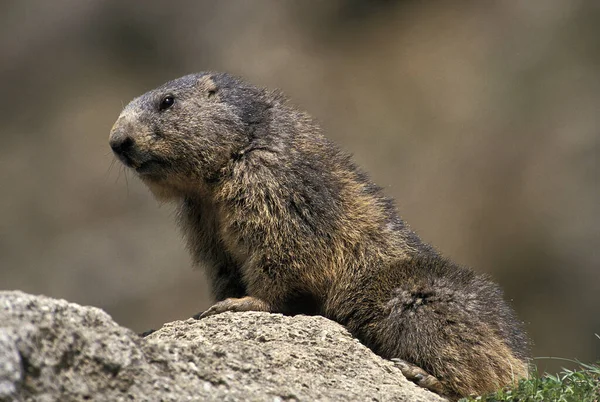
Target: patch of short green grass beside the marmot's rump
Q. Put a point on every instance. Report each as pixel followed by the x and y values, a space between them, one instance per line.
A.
pixel 579 385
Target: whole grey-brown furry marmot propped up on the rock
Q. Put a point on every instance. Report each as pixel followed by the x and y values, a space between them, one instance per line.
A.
pixel 284 221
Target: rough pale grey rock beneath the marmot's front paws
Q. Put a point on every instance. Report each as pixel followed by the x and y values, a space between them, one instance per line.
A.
pixel 54 350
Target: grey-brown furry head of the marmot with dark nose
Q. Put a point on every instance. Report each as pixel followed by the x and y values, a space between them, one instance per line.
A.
pixel 181 135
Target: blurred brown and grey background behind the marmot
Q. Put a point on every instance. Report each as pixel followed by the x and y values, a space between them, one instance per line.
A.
pixel 481 119
